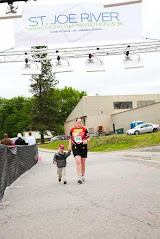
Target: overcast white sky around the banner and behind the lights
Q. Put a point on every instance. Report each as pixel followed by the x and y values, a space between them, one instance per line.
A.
pixel 114 81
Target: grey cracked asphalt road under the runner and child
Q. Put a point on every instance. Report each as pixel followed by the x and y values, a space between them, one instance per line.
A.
pixel 119 200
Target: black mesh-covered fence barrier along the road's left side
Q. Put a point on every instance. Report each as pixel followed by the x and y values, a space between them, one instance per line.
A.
pixel 14 161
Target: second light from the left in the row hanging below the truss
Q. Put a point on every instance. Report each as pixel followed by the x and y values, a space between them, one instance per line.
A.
pixel 61 65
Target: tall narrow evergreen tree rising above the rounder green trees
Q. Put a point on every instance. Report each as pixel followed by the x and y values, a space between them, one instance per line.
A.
pixel 44 111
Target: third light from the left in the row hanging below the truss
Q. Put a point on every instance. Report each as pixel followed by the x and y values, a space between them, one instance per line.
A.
pixel 94 64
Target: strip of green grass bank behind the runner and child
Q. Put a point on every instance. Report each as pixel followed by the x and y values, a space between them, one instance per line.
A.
pixel 113 142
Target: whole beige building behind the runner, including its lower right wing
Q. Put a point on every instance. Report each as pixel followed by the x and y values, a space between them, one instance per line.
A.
pixel 100 113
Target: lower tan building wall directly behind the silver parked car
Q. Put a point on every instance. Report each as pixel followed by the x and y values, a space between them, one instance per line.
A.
pixel 146 114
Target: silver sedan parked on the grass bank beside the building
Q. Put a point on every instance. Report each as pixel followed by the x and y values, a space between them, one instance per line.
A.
pixel 144 128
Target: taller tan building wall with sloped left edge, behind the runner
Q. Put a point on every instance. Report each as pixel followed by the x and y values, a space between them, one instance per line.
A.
pixel 97 110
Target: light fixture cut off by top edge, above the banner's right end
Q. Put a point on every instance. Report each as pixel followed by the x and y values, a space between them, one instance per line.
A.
pixel 115 3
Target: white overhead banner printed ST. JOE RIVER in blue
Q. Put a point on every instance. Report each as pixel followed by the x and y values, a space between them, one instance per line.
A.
pixel 77 24
